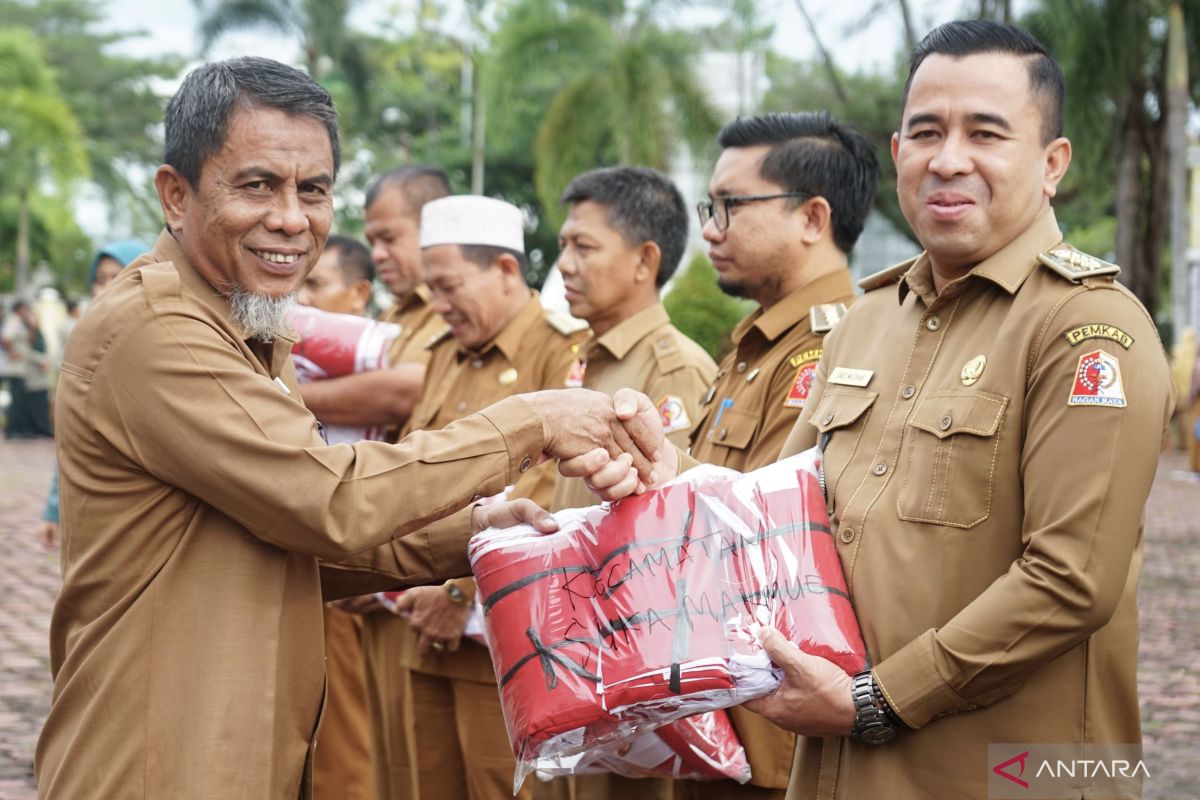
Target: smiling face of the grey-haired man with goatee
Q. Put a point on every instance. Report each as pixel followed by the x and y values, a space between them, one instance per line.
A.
pixel 262 210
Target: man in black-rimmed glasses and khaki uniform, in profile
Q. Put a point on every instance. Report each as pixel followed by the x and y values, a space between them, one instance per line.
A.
pixel 789 197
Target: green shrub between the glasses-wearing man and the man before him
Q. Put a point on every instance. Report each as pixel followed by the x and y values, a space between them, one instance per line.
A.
pixel 700 309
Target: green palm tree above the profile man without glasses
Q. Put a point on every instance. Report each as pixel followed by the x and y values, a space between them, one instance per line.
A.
pixel 619 88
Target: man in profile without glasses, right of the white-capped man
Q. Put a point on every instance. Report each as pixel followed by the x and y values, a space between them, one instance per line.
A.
pixel 622 242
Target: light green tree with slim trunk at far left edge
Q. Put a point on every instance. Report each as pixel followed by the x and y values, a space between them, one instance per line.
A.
pixel 40 137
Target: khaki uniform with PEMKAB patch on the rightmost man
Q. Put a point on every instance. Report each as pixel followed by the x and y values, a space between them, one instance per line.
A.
pixel 988 455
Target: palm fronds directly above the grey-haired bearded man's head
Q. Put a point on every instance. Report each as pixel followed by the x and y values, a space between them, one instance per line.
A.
pixel 329 47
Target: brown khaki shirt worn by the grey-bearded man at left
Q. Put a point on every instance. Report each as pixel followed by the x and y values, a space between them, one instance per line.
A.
pixel 197 498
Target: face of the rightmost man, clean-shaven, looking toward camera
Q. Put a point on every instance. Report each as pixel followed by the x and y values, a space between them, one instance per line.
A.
pixel 973 169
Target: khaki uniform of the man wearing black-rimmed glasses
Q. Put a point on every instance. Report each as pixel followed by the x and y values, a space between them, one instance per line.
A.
pixel 760 392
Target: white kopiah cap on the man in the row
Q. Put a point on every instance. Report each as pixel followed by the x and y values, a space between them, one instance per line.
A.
pixel 472 220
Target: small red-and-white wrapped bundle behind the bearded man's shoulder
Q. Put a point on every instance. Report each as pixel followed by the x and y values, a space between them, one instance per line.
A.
pixel 332 346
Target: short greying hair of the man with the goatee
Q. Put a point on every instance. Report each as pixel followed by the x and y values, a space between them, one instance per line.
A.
pixel 197 122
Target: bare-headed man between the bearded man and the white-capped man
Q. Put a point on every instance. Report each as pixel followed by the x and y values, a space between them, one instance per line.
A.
pixel 386 398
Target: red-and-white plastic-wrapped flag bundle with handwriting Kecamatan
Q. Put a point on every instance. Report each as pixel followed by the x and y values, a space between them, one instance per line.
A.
pixel 639 615
